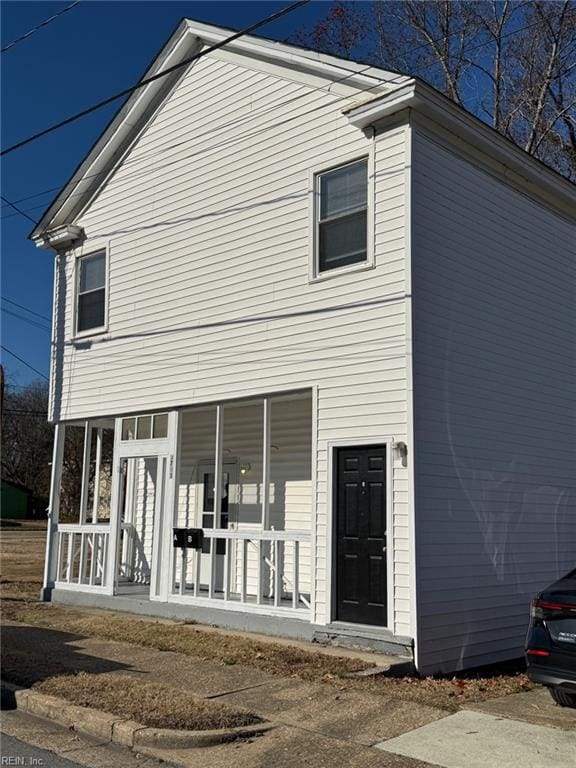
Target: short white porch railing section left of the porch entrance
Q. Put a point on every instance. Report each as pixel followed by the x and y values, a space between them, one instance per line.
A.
pixel 83 552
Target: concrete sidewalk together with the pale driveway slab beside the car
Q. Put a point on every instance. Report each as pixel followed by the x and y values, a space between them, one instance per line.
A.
pixel 324 724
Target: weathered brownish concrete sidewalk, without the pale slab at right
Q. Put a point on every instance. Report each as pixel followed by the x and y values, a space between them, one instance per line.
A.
pixel 317 724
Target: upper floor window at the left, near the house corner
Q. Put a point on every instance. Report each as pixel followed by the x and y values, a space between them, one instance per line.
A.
pixel 91 302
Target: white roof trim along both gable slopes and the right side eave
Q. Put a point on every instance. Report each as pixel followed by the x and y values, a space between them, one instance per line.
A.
pixel 398 91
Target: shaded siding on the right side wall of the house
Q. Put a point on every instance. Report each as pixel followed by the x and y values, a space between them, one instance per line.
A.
pixel 494 380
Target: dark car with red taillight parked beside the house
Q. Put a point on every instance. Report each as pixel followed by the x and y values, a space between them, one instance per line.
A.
pixel 551 640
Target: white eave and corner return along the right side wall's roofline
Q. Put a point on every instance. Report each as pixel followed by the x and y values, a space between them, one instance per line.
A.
pixel 462 125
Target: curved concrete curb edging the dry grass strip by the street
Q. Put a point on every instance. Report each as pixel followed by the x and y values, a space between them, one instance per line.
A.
pixel 126 733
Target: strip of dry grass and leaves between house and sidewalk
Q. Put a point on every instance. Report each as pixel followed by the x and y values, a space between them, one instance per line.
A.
pixel 282 660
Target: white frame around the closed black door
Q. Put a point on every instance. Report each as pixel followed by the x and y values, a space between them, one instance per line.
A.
pixel 331 544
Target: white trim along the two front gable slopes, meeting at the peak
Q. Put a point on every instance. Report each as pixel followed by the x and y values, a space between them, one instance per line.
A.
pixel 188 38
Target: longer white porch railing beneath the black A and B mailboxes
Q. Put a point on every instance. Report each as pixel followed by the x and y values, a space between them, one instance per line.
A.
pixel 256 570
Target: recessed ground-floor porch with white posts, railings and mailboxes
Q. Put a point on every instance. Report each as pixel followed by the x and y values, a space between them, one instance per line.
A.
pixel 239 473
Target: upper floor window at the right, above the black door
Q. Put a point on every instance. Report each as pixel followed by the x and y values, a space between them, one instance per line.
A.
pixel 342 216
